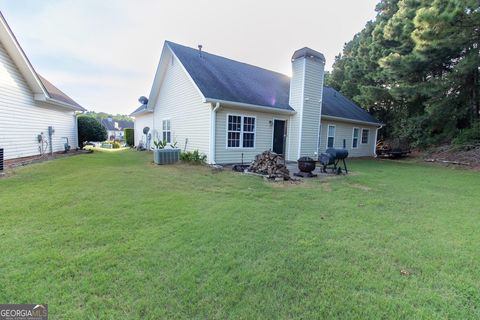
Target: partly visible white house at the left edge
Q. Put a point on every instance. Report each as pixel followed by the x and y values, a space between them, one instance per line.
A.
pixel 29 105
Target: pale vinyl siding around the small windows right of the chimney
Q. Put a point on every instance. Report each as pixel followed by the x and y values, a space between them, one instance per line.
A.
pixel 343 131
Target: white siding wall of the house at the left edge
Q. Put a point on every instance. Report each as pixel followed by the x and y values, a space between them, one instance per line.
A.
pixel 22 118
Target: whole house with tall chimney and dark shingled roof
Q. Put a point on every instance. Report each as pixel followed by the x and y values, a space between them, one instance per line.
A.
pixel 229 110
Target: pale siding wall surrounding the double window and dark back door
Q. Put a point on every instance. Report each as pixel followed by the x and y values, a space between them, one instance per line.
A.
pixel 263 135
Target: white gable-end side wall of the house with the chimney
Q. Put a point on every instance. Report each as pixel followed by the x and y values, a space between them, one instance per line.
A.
pixel 181 107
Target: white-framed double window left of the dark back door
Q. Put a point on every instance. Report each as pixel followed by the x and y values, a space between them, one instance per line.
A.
pixel 240 132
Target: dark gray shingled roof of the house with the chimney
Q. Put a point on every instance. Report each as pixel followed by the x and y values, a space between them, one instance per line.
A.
pixel 220 78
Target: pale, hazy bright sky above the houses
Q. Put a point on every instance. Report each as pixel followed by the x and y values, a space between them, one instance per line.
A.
pixel 104 54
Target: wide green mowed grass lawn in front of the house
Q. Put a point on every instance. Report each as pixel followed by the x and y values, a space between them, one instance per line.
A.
pixel 111 236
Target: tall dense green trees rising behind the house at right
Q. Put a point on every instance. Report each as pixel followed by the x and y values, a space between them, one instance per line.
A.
pixel 416 67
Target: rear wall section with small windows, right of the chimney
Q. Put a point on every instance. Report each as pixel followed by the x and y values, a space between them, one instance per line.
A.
pixel 341 131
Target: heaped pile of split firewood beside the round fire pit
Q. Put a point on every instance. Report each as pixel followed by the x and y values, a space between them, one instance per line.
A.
pixel 271 165
